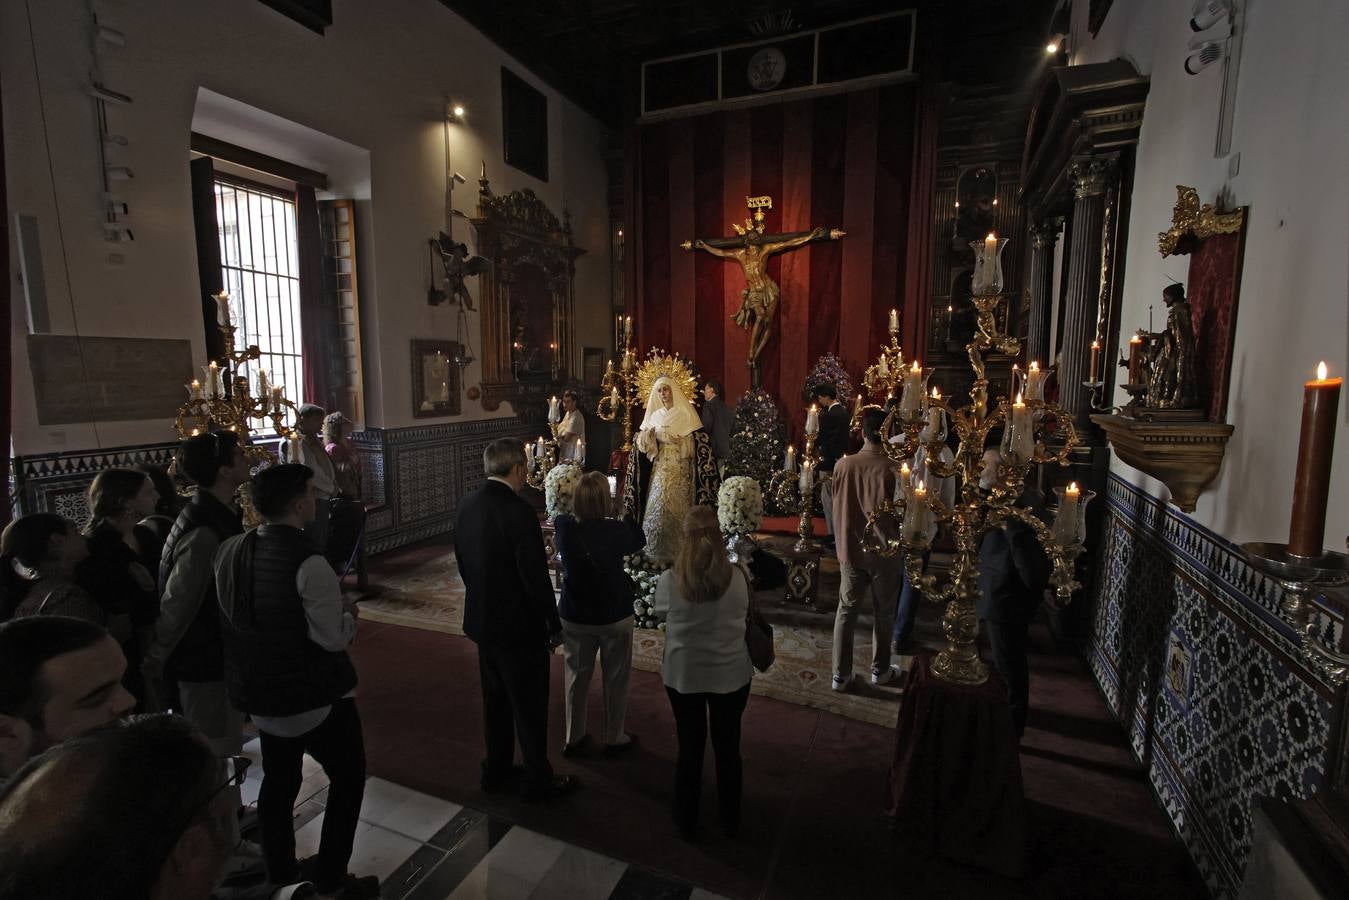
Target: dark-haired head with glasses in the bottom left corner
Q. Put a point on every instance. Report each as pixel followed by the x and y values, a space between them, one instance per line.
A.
pixel 134 812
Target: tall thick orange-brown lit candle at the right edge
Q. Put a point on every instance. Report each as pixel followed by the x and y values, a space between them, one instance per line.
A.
pixel 1312 484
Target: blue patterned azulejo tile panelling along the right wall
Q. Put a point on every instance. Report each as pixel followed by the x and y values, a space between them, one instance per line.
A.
pixel 1195 660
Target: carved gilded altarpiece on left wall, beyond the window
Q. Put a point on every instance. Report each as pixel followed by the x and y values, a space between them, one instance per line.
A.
pixel 528 299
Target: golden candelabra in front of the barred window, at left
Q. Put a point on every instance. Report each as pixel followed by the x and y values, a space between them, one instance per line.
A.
pixel 211 407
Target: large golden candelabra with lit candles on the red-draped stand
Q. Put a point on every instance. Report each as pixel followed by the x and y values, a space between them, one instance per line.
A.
pixel 976 511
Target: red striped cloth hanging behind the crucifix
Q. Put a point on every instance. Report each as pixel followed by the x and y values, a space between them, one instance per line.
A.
pixel 844 161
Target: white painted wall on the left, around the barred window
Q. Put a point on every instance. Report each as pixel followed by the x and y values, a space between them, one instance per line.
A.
pixel 376 80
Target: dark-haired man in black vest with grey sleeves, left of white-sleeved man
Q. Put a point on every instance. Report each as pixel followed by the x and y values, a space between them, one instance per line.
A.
pixel 188 648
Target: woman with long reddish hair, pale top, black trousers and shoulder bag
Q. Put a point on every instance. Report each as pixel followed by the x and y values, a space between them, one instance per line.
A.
pixel 705 602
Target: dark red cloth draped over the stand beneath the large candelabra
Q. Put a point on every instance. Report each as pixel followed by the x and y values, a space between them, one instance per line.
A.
pixel 956 786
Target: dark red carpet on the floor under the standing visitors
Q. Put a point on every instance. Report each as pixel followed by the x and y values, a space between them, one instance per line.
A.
pixel 814 789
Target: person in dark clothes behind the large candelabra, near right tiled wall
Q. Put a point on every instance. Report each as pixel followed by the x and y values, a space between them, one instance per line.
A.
pixel 1014 573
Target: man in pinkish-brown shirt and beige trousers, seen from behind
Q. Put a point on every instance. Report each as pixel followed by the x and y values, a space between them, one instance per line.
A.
pixel 861 484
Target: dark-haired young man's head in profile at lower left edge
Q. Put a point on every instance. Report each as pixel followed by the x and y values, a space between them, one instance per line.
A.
pixel 59 678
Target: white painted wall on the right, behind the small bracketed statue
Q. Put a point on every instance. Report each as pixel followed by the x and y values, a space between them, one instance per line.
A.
pixel 1293 134
